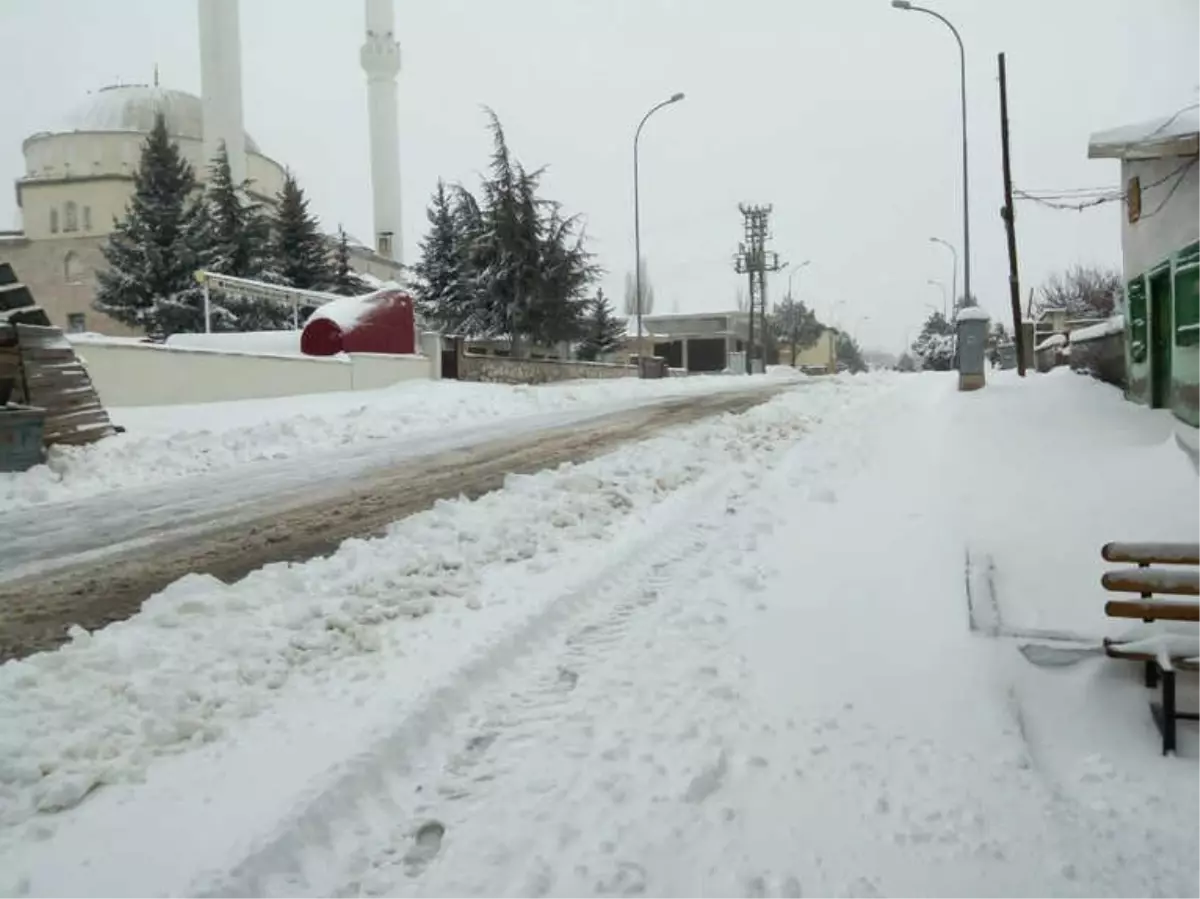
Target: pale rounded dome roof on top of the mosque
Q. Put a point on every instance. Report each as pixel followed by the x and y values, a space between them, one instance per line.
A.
pixel 134 107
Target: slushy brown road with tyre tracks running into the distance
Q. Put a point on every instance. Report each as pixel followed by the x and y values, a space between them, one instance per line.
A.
pixel 95 562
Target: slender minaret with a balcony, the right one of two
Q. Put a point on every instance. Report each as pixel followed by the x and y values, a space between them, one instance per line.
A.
pixel 381 61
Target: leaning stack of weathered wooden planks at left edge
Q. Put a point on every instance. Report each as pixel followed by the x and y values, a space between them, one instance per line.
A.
pixel 53 379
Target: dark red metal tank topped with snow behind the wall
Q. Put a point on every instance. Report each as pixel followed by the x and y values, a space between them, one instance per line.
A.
pixel 381 322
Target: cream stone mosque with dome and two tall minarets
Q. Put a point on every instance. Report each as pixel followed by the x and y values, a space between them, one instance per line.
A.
pixel 80 176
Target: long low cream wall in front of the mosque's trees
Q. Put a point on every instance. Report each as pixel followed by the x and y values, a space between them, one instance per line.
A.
pixel 151 375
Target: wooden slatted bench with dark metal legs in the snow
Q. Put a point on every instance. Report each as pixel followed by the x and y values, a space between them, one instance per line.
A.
pixel 1149 582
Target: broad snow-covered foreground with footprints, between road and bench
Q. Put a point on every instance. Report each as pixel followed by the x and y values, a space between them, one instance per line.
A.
pixel 735 661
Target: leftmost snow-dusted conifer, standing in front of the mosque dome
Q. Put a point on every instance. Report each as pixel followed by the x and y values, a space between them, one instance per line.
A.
pixel 155 250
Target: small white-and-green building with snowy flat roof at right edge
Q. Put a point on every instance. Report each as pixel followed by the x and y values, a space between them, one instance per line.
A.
pixel 1161 253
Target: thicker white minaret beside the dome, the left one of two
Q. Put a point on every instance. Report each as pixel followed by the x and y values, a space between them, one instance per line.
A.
pixel 221 85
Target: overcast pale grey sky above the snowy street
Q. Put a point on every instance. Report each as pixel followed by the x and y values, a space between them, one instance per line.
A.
pixel 843 115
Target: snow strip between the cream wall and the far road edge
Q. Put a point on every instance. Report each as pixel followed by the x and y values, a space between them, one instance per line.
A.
pixel 175 442
